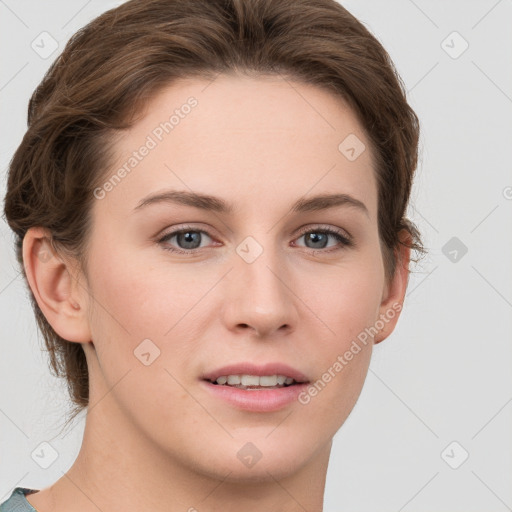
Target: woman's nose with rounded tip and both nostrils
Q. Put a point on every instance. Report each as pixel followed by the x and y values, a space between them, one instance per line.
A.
pixel 259 297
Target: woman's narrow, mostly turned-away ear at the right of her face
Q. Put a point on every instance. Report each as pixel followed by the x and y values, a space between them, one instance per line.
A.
pixel 394 290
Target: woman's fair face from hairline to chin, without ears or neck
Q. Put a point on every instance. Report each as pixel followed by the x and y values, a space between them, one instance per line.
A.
pixel 257 276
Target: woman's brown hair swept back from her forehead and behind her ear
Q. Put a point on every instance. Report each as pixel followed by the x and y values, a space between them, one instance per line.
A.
pixel 111 67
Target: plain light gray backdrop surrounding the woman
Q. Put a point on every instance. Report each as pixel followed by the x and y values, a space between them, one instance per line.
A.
pixel 445 373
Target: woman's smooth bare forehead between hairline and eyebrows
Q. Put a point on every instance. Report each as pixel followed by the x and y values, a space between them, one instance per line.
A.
pixel 253 140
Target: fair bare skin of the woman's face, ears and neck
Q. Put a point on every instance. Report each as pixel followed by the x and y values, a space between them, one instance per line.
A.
pixel 154 439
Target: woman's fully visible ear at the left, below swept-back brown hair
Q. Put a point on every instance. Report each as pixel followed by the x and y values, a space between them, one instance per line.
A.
pixel 51 278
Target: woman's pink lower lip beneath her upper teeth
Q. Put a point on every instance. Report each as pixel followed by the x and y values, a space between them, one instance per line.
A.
pixel 256 400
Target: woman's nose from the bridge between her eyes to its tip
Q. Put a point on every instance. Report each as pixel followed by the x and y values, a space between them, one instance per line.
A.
pixel 259 294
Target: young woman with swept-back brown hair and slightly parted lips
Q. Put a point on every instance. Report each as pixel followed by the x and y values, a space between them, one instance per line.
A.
pixel 210 205
